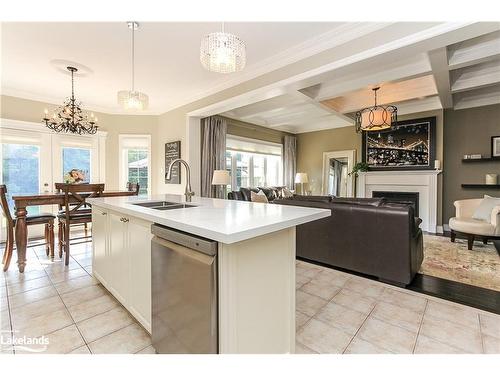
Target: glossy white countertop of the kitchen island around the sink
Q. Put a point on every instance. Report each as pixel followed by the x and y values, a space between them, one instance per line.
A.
pixel 225 221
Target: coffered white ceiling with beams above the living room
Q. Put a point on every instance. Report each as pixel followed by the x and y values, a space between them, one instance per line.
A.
pixel 459 75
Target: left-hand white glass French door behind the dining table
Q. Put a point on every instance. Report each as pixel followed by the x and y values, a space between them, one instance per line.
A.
pixel 26 168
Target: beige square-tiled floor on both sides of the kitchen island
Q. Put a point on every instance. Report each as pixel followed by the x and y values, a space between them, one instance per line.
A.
pixel 336 313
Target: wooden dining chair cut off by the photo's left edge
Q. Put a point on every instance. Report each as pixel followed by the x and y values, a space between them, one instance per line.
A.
pixel 43 218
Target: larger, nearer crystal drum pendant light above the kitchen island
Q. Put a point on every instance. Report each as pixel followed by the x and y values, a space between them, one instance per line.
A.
pixel 223 52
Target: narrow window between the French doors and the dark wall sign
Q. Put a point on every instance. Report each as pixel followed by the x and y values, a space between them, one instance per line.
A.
pixel 135 161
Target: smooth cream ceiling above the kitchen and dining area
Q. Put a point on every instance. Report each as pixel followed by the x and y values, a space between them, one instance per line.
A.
pixel 167 58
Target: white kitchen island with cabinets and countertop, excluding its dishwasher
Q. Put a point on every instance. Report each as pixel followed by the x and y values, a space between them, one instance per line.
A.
pixel 255 263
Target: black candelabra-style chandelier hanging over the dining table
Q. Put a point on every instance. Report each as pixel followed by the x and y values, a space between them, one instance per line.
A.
pixel 70 118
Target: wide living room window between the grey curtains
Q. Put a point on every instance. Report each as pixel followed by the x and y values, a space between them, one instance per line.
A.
pixel 253 163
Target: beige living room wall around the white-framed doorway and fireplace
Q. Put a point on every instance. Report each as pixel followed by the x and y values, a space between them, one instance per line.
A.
pixel 310 148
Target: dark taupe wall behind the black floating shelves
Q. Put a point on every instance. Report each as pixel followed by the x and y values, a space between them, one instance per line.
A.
pixel 468 131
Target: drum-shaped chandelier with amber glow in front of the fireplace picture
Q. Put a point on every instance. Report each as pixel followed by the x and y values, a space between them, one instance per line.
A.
pixel 378 117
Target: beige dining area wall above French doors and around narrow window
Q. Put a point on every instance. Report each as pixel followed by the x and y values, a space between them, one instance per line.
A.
pixel 31 111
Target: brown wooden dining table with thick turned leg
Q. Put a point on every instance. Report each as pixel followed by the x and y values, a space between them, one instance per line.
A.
pixel 21 202
